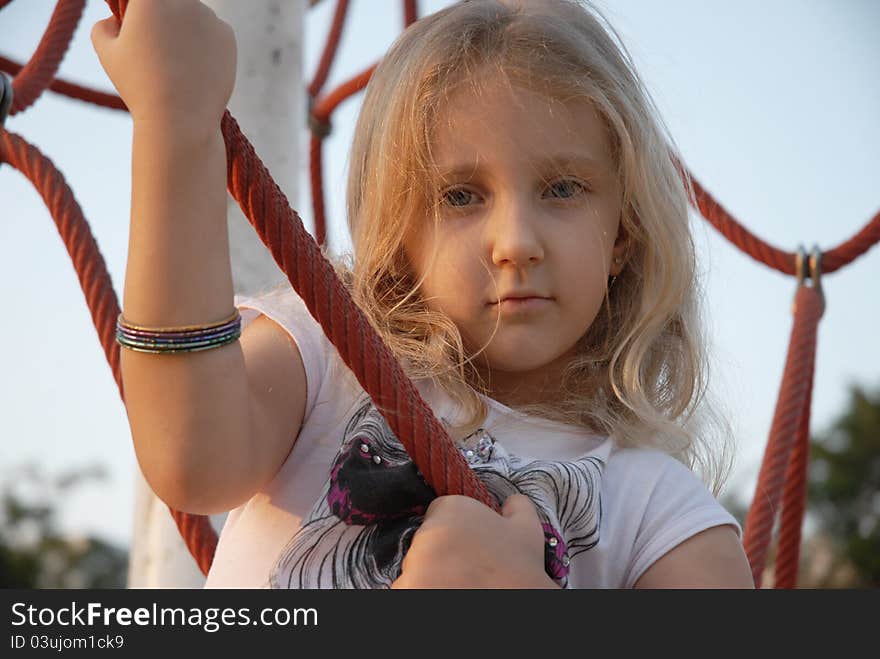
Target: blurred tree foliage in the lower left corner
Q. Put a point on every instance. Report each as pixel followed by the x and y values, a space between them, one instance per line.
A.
pixel 34 553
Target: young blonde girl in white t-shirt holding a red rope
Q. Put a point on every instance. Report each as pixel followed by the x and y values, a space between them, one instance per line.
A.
pixel 521 243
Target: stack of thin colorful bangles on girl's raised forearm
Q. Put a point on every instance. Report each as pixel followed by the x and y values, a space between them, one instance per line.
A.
pixel 191 338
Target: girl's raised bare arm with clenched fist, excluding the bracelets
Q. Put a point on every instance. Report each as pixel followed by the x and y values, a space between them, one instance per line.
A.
pixel 206 432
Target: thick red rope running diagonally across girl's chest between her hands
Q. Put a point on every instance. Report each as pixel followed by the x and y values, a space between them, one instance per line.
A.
pixel 346 326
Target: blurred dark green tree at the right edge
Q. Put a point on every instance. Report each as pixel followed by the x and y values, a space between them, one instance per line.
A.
pixel 844 487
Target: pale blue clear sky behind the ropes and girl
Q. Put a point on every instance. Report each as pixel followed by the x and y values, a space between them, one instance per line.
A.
pixel 775 107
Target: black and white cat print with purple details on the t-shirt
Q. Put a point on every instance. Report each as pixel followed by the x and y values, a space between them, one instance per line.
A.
pixel 359 530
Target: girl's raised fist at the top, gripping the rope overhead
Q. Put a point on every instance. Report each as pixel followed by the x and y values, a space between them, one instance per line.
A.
pixel 172 61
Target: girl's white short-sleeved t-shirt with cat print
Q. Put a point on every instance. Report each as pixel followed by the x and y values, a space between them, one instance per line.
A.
pixel 343 508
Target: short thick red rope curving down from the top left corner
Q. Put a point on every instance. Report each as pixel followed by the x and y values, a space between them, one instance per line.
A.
pixel 40 70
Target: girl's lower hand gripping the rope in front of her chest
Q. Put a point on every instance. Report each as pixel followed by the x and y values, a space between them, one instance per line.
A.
pixel 464 544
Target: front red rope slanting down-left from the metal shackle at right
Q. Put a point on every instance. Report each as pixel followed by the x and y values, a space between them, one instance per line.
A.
pixel 789 418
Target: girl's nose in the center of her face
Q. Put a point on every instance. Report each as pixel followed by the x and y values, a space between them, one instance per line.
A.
pixel 514 236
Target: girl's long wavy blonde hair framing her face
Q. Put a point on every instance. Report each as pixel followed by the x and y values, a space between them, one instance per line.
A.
pixel 640 371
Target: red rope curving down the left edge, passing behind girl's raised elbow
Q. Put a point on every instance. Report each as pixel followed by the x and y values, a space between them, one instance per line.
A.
pixel 97 287
